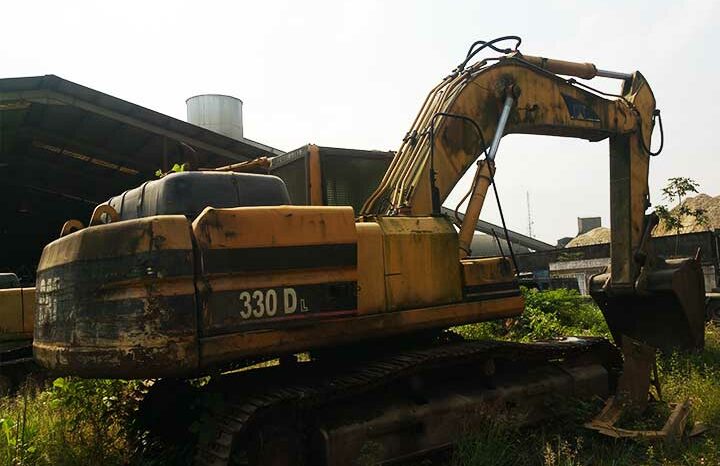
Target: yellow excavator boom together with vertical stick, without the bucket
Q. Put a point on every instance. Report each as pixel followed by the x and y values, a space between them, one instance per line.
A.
pixel 540 103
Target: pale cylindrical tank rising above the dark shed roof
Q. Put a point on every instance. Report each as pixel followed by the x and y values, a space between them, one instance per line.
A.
pixel 219 113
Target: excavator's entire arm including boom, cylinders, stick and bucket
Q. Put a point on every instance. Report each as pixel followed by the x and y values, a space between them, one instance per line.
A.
pixel 467 114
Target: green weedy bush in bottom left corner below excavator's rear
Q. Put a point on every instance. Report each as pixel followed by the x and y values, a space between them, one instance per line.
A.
pixel 73 422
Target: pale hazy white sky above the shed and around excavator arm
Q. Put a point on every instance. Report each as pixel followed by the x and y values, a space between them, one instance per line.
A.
pixel 354 74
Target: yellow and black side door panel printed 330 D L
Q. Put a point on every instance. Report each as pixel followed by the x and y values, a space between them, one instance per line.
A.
pixel 264 268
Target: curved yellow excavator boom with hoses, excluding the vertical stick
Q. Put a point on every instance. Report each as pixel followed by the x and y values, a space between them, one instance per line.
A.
pixel 543 103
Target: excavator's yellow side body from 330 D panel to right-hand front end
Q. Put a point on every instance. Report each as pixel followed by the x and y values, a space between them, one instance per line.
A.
pixel 252 257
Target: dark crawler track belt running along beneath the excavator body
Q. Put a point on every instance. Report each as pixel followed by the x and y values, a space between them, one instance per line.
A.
pixel 277 395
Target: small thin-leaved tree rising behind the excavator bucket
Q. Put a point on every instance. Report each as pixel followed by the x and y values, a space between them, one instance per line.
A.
pixel 672 218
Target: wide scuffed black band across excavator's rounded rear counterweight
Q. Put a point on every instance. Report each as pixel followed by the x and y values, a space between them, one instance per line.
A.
pixel 72 305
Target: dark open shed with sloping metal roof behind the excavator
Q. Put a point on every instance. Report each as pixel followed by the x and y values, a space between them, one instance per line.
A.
pixel 65 148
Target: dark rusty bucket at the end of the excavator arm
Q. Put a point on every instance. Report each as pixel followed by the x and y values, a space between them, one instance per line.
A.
pixel 666 309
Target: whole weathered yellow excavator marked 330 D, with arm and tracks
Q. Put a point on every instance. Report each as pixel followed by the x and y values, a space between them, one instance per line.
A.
pixel 216 273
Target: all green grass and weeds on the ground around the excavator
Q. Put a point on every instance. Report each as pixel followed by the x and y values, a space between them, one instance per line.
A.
pixel 81 422
